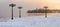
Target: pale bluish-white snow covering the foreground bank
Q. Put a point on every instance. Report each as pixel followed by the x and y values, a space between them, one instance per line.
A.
pixel 34 21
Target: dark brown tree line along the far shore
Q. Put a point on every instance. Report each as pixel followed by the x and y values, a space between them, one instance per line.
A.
pixel 43 11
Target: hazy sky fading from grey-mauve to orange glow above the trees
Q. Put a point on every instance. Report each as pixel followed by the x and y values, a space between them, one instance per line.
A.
pixel 5 10
